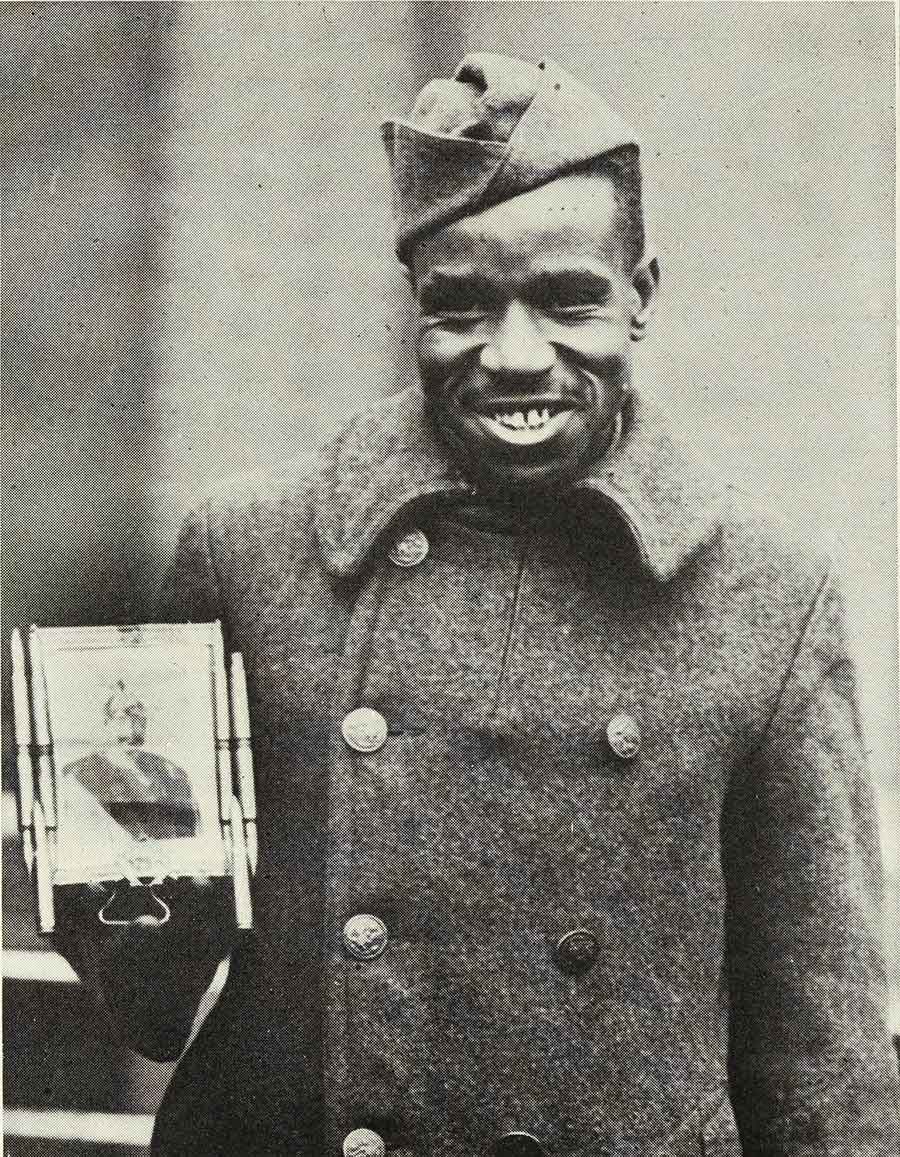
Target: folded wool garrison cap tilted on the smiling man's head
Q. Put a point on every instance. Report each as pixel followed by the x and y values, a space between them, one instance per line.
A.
pixel 500 128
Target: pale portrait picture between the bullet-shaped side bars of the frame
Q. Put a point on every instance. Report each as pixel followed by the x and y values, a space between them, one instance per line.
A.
pixel 134 736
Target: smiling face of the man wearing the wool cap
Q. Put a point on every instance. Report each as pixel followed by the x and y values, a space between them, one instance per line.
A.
pixel 525 340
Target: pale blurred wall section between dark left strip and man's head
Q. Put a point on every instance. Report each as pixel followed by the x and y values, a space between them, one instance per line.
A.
pixel 284 292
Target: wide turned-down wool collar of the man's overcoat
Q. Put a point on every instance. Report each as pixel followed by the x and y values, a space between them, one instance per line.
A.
pixel 389 460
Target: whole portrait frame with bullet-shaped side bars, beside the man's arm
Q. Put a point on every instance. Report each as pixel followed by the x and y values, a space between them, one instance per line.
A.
pixel 135 760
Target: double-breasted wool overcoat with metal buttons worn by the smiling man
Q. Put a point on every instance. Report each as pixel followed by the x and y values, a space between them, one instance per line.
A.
pixel 726 985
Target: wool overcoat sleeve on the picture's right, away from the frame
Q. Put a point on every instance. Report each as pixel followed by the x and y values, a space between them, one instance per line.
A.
pixel 814 1073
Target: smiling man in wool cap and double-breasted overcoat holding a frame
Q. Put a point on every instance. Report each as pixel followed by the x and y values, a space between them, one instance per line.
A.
pixel 567 844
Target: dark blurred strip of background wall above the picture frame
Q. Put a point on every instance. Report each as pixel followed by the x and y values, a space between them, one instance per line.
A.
pixel 84 226
